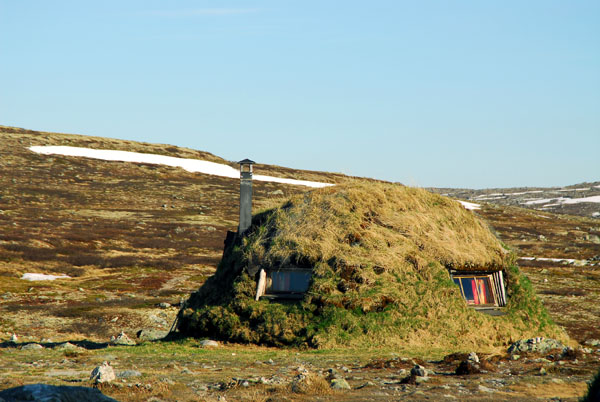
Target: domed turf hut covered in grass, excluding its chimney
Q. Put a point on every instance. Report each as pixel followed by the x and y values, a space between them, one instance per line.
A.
pixel 364 264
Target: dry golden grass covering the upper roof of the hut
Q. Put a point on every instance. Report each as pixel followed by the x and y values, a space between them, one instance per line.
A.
pixel 375 223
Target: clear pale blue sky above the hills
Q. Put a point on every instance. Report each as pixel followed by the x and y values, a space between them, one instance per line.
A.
pixel 473 94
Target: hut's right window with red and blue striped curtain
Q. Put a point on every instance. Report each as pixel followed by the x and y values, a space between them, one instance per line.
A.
pixel 481 289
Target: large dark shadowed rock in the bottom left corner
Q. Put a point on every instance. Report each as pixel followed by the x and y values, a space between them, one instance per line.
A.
pixel 44 392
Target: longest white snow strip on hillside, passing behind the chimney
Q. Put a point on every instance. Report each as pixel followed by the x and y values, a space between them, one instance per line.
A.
pixel 191 165
